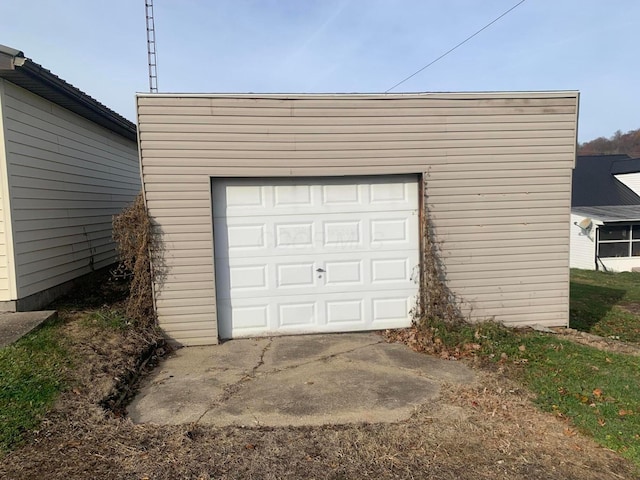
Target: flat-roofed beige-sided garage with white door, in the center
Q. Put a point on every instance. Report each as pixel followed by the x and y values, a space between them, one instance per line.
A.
pixel 282 214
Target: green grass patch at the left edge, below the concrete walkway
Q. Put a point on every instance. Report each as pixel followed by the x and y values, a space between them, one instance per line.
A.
pixel 32 374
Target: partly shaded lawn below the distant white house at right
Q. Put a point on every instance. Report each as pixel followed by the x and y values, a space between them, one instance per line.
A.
pixel 606 304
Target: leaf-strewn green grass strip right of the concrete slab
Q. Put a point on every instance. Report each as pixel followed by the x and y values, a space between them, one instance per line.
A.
pixel 598 392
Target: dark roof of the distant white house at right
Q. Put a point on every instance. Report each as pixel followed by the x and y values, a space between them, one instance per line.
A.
pixel 594 183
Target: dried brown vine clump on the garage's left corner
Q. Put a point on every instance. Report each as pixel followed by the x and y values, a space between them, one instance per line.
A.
pixel 135 240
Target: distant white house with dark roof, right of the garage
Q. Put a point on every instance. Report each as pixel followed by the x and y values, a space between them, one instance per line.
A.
pixel 605 213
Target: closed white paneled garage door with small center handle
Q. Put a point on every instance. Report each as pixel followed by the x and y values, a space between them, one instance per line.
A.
pixel 315 255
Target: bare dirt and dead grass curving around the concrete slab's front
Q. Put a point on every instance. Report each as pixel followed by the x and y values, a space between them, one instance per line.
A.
pixel 490 431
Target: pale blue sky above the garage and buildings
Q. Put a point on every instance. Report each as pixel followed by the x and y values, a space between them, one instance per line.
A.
pixel 341 46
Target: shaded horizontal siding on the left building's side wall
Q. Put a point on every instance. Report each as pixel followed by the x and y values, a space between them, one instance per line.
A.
pixel 67 178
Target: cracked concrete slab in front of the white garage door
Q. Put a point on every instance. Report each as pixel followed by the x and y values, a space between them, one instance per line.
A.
pixel 299 380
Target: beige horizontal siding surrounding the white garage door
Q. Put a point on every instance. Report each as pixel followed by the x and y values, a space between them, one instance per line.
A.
pixel 497 168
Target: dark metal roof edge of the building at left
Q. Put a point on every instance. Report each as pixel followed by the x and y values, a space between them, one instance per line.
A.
pixel 18 69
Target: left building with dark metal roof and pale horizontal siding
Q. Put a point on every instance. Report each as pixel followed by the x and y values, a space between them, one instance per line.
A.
pixel 67 165
